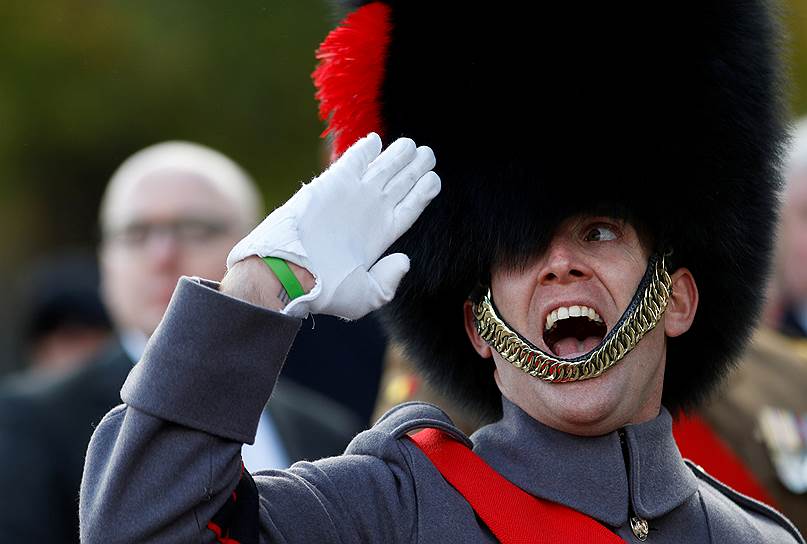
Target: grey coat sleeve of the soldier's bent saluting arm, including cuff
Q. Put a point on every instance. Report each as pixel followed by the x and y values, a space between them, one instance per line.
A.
pixel 162 466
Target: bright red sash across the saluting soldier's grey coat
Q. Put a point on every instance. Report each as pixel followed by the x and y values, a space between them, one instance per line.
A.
pixel 513 515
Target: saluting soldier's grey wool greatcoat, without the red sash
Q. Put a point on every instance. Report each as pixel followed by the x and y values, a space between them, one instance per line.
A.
pixel 161 466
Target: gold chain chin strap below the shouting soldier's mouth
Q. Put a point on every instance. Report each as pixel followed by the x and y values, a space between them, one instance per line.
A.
pixel 539 364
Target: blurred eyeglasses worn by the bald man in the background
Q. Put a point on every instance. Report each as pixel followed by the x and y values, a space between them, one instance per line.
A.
pixel 187 231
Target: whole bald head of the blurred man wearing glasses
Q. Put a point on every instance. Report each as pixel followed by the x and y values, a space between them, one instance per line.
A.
pixel 172 209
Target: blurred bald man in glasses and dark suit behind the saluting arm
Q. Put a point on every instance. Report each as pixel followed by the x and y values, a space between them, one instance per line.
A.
pixel 172 209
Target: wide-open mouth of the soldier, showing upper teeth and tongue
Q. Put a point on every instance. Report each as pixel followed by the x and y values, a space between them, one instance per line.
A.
pixel 571 331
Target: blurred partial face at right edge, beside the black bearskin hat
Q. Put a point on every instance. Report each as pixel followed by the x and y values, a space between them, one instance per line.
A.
pixel 793 249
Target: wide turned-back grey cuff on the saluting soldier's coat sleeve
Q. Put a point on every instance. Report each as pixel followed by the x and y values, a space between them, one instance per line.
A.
pixel 212 363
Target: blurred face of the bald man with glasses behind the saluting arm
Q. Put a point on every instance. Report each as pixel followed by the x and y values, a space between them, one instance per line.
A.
pixel 164 225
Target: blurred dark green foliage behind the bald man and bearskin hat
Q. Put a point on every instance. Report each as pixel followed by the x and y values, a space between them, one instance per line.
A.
pixel 85 84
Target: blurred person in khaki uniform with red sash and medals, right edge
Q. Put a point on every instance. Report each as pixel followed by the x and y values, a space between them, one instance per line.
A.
pixel 760 414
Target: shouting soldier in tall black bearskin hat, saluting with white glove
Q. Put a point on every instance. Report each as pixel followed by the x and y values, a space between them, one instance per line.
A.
pixel 571 302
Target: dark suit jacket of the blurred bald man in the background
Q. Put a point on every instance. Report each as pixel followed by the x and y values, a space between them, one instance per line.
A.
pixel 45 429
